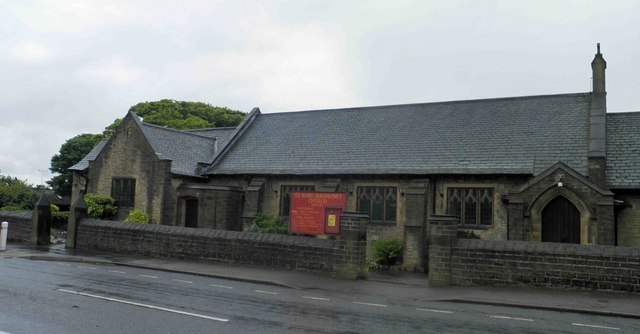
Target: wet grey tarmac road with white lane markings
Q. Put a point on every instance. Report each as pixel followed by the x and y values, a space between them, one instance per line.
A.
pixel 72 297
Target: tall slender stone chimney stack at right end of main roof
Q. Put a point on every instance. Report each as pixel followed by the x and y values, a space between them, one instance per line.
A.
pixel 597 122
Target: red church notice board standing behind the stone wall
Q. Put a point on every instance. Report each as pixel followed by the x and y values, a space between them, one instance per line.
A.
pixel 308 210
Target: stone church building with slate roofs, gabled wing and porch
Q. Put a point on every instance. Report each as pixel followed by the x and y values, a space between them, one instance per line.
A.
pixel 552 168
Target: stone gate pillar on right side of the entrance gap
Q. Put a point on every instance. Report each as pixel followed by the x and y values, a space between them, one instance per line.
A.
pixel 442 238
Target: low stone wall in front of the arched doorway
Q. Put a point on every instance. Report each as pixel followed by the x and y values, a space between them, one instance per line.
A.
pixel 483 262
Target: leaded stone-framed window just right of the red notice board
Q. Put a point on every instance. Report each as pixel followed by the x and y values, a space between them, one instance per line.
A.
pixel 380 203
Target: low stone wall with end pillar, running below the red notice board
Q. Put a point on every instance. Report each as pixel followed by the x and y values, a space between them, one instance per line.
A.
pixel 343 258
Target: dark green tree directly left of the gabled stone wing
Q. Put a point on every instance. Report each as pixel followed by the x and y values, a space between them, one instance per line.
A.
pixel 71 152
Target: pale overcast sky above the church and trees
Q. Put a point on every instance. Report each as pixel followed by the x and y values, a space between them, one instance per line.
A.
pixel 71 67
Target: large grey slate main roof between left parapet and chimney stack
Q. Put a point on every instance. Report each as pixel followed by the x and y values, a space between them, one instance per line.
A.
pixel 521 135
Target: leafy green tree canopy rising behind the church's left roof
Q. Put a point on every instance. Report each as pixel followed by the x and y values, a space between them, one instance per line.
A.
pixel 187 115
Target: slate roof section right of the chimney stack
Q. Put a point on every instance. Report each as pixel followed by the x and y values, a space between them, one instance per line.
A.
pixel 623 150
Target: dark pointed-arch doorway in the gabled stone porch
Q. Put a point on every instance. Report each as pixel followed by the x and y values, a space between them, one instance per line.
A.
pixel 560 222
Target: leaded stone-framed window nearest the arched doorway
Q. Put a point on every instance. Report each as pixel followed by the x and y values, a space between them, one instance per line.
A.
pixel 474 206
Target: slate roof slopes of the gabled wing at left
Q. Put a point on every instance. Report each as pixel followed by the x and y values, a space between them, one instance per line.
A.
pixel 185 148
